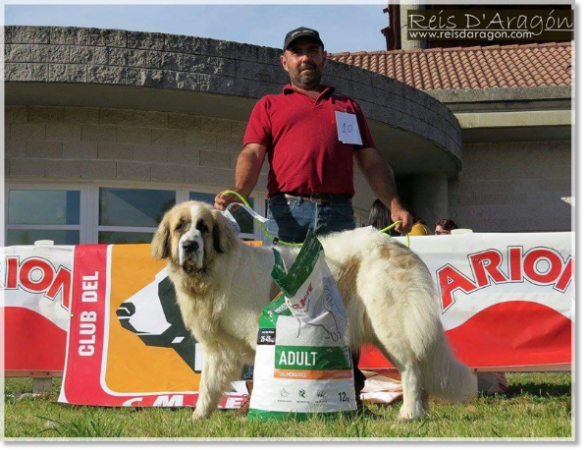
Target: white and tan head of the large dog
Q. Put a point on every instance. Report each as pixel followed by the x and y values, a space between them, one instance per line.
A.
pixel 191 235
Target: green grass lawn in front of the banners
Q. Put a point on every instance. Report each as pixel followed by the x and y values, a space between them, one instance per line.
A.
pixel 538 405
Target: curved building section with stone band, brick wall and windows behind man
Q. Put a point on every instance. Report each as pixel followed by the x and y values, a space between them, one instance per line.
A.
pixel 105 129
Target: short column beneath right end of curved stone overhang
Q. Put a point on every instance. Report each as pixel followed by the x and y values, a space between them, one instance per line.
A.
pixel 430 197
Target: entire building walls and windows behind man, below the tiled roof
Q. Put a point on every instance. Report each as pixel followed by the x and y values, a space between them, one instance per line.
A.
pixel 106 129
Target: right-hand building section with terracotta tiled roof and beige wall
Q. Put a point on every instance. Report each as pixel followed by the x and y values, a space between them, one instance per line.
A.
pixel 514 106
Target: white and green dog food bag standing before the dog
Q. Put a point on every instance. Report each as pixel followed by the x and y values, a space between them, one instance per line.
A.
pixel 303 363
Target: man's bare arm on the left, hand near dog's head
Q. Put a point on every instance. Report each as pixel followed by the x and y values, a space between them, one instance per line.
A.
pixel 248 167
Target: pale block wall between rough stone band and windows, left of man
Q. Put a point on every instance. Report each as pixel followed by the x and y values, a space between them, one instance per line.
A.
pixel 70 143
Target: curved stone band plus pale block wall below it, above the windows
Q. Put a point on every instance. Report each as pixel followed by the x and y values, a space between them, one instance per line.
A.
pixel 172 109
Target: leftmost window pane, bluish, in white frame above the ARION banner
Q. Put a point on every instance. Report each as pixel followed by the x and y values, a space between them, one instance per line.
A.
pixel 37 214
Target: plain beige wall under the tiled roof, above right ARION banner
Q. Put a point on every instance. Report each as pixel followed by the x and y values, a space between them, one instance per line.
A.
pixel 513 187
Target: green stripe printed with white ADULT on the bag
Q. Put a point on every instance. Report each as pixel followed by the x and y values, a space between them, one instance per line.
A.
pixel 312 358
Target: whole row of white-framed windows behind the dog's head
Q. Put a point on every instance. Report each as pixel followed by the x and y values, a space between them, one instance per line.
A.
pixel 72 214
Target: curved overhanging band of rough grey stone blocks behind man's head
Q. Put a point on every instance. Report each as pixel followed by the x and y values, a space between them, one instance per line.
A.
pixel 68 66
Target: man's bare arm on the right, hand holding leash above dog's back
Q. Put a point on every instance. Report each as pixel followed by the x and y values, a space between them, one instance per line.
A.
pixel 381 179
